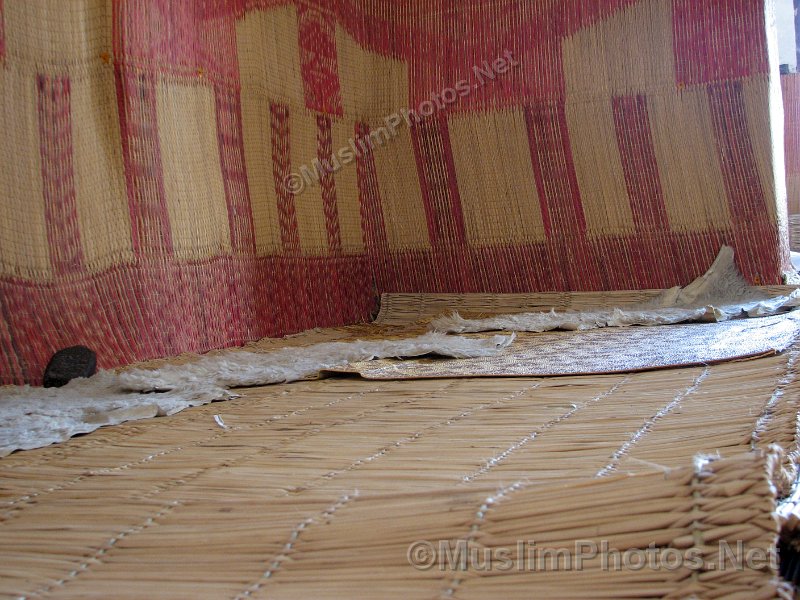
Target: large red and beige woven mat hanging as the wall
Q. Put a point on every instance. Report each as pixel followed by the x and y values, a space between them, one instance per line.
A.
pixel 142 205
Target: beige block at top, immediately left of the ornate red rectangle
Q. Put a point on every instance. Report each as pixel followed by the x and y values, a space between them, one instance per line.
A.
pixel 269 53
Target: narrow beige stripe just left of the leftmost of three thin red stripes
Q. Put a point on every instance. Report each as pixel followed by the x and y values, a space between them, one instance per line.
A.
pixel 257 135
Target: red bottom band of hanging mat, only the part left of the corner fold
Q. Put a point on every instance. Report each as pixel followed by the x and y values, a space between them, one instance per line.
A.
pixel 114 317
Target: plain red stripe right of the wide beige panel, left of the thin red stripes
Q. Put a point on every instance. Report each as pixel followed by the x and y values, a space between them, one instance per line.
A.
pixel 234 175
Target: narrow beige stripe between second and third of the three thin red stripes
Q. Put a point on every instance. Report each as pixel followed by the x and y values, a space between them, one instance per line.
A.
pixel 347 195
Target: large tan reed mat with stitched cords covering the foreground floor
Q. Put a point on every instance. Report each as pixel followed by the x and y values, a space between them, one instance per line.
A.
pixel 316 489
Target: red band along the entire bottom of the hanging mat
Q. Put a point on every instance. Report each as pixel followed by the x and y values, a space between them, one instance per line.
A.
pixel 34 308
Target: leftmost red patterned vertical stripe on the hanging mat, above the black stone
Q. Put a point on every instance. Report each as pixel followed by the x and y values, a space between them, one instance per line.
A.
pixel 55 143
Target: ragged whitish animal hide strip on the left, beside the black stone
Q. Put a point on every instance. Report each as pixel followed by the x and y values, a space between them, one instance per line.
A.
pixel 35 417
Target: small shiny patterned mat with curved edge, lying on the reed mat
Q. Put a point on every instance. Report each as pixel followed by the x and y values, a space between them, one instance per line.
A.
pixel 601 351
